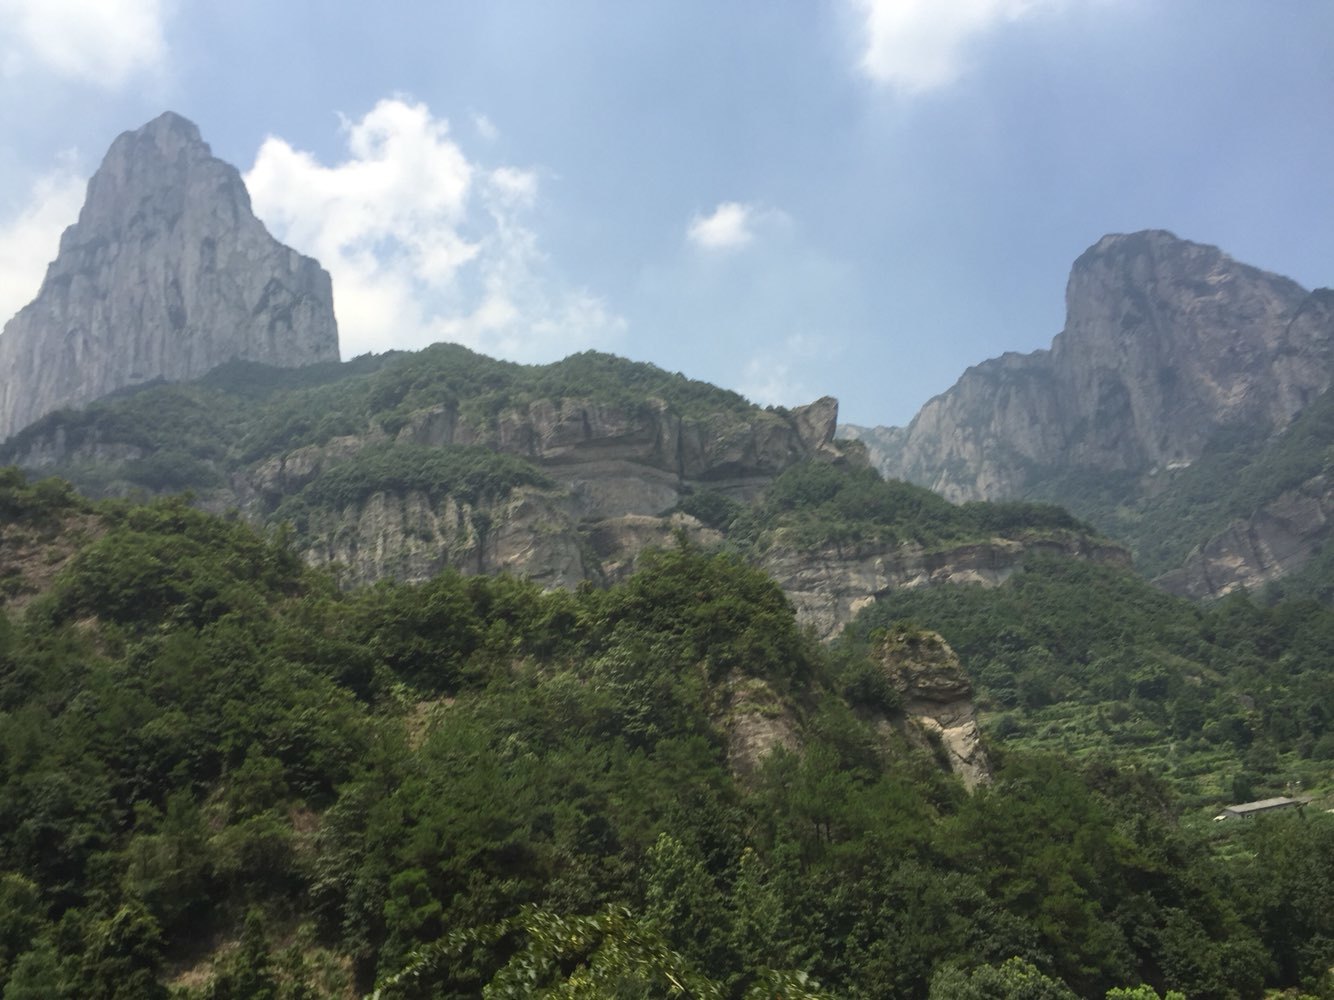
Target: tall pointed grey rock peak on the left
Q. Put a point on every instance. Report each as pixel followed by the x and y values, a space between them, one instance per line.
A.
pixel 166 275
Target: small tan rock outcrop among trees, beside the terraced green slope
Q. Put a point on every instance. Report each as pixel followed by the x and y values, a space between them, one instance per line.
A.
pixel 937 702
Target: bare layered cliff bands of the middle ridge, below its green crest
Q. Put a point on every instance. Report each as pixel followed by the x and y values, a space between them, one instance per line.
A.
pixel 616 470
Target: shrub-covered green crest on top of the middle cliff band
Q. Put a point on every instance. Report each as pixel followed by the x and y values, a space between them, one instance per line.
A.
pixel 195 435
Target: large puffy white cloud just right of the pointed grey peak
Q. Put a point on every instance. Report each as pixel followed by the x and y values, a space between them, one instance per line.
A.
pixel 424 243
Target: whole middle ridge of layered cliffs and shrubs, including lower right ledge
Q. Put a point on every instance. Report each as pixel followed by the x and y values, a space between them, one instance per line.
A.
pixel 402 466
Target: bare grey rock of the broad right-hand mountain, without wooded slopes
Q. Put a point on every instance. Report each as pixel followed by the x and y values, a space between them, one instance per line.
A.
pixel 1165 343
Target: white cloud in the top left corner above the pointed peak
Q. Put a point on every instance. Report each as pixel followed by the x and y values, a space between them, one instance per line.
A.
pixel 99 42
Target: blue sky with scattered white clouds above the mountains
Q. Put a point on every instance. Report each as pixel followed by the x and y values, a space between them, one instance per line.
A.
pixel 790 199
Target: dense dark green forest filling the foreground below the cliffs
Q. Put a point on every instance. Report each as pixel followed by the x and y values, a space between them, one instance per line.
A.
pixel 223 777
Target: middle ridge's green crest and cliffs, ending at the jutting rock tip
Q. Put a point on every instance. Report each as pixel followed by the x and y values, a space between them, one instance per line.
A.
pixel 405 465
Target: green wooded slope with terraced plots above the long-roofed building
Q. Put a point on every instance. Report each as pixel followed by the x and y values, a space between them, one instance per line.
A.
pixel 1225 702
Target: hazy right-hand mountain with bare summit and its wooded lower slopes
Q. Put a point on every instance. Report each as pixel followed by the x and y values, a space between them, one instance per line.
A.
pixel 1179 367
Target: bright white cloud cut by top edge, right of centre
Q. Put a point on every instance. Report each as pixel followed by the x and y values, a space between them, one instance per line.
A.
pixel 916 46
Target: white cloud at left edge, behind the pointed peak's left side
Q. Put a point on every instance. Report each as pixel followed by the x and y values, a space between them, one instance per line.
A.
pixel 31 239
